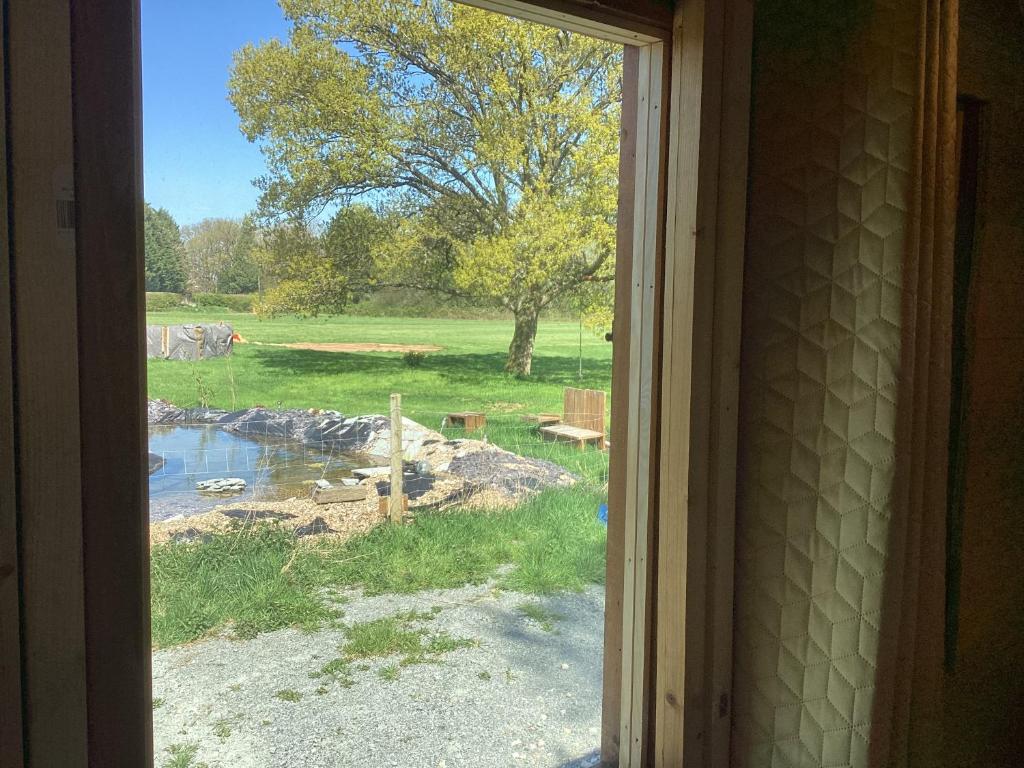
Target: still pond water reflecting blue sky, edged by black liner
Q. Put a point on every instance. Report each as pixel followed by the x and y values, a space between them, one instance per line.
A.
pixel 272 470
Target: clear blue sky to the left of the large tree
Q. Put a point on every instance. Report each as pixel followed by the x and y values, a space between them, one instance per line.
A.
pixel 197 162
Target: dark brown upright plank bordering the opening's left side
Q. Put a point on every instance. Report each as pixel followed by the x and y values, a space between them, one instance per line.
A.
pixel 112 365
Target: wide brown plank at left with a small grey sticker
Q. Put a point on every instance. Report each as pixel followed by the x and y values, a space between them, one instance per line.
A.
pixel 46 303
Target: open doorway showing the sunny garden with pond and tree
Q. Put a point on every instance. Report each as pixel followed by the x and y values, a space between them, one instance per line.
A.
pixel 325 592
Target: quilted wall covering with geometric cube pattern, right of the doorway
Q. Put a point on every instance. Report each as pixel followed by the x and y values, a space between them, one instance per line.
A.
pixel 831 159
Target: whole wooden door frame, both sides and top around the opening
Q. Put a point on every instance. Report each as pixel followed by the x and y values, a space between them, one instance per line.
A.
pixel 84 658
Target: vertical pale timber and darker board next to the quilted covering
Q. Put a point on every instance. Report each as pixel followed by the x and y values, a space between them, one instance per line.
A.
pixel 707 212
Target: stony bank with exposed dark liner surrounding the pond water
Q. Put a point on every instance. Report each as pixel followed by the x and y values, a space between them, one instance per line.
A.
pixel 440 474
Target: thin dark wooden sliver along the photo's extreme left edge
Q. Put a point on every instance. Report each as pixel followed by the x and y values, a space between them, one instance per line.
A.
pixel 11 646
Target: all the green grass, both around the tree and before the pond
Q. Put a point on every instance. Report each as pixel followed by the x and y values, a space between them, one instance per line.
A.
pixel 260 580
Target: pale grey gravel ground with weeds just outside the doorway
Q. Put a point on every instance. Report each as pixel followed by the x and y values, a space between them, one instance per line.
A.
pixel 527 694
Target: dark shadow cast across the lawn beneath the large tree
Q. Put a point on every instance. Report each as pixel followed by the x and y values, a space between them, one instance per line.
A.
pixel 558 370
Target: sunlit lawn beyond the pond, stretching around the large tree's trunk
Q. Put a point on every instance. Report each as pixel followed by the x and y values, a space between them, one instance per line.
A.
pixel 466 375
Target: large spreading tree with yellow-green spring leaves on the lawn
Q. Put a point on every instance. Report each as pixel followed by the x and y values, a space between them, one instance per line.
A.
pixel 495 138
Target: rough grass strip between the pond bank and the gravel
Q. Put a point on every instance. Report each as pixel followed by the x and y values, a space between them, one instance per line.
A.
pixel 260 580
